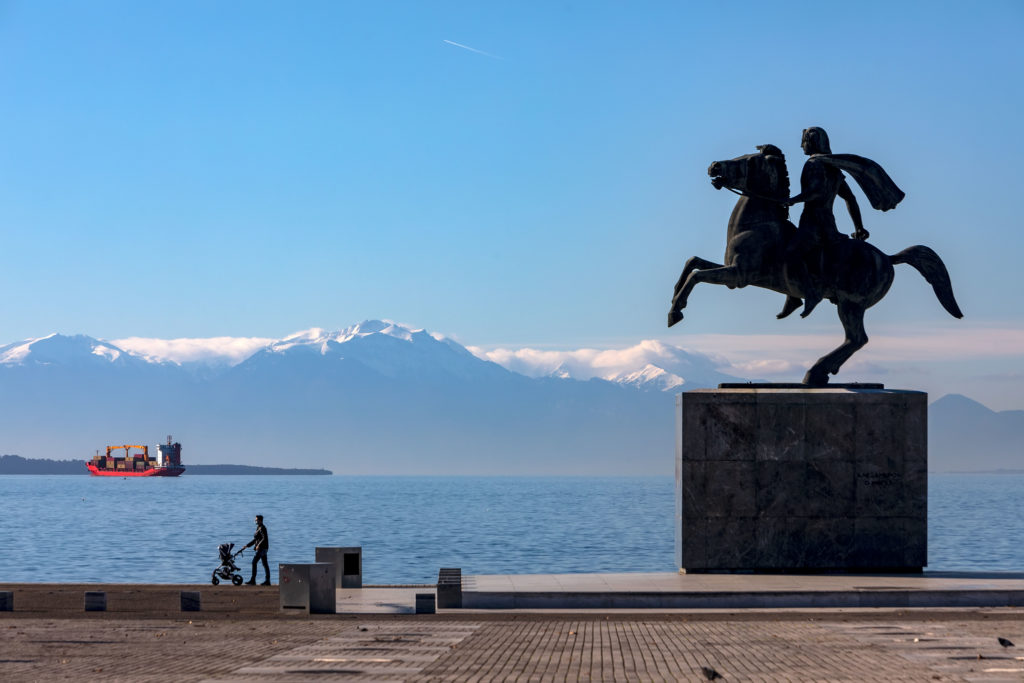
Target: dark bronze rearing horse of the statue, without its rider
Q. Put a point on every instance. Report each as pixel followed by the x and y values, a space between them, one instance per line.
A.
pixel 758 253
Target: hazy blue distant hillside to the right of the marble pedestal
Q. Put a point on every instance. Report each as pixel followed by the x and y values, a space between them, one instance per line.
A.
pixel 966 437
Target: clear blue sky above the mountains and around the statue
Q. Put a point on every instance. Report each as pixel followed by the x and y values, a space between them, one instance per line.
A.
pixel 511 175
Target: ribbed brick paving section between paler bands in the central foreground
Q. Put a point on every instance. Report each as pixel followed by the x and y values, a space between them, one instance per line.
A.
pixel 637 651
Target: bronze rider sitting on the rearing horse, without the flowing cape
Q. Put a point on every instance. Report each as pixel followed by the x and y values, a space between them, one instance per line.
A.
pixel 820 184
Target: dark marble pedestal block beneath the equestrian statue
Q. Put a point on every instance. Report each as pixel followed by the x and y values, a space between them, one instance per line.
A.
pixel 801 480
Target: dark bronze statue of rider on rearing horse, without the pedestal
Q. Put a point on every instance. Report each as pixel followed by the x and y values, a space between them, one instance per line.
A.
pixel 816 261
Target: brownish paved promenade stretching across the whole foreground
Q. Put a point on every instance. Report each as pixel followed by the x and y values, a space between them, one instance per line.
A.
pixel 240 636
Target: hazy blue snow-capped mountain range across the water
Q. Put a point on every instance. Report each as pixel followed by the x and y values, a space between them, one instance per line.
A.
pixel 383 399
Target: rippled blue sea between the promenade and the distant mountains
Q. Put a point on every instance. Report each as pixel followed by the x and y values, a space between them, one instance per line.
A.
pixel 164 531
